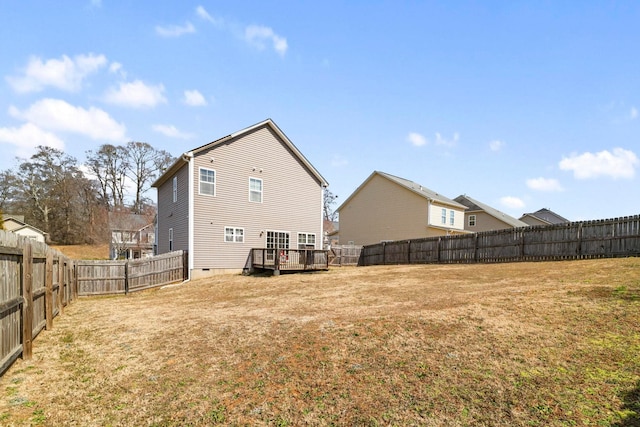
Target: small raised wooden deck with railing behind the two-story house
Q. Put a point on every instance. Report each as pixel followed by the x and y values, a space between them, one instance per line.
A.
pixel 289 259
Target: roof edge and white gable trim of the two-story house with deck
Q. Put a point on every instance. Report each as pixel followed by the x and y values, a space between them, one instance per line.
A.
pixel 183 159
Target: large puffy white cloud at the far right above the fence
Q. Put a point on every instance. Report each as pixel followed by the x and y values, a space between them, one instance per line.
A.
pixel 619 164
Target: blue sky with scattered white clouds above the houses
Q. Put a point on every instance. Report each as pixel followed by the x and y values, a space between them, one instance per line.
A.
pixel 521 105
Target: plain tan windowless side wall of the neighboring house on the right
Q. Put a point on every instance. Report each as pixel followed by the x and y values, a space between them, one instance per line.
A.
pixel 383 210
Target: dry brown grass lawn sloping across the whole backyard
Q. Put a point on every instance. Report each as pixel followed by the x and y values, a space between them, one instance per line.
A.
pixel 505 344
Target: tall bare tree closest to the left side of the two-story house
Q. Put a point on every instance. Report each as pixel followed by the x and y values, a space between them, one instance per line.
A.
pixel 144 164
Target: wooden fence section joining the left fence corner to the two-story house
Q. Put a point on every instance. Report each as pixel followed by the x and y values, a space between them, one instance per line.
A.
pixel 122 277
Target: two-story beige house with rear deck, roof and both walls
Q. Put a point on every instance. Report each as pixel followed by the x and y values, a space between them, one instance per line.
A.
pixel 250 189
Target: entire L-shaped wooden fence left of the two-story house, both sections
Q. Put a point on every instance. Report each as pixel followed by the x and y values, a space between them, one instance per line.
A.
pixel 37 282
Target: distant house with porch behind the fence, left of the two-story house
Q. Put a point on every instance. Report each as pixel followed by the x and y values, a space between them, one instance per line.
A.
pixel 132 236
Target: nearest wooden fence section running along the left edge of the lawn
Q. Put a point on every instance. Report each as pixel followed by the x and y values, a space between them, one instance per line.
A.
pixel 36 283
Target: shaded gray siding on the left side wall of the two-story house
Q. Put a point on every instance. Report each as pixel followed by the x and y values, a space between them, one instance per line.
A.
pixel 174 215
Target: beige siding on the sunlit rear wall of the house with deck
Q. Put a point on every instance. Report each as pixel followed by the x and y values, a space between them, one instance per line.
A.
pixel 291 198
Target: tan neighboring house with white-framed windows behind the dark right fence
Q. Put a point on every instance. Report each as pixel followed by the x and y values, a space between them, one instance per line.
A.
pixel 386 207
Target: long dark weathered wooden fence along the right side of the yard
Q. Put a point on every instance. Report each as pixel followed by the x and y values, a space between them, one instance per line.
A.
pixel 575 240
